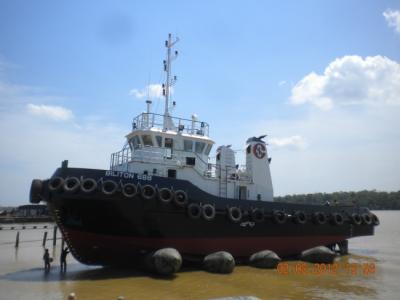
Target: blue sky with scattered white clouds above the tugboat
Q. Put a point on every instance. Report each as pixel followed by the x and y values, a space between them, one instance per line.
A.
pixel 320 78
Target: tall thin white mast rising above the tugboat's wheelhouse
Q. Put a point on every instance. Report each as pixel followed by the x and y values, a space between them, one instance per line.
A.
pixel 169 82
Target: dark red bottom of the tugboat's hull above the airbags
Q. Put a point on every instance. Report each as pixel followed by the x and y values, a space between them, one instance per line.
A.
pixel 104 249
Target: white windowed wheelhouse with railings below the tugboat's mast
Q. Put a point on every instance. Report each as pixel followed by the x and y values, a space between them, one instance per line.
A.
pixel 162 141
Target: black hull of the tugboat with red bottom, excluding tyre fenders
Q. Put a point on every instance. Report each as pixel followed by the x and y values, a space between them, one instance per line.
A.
pixel 111 229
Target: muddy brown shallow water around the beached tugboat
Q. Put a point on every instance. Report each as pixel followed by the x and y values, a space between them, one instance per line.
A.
pixel 372 271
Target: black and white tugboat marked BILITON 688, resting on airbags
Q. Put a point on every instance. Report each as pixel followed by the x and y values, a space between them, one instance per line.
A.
pixel 162 190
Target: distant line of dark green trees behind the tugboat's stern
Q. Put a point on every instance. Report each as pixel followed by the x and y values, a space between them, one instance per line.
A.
pixel 371 199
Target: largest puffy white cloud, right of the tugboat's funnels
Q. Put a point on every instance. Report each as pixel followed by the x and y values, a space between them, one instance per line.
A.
pixel 351 80
